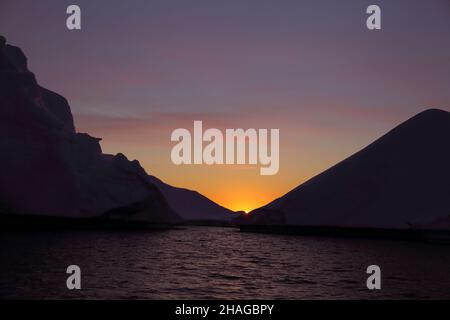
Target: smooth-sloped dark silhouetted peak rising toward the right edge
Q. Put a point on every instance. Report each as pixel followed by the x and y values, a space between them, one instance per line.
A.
pixel 401 180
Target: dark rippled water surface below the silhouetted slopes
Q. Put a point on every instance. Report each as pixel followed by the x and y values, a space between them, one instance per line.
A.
pixel 217 263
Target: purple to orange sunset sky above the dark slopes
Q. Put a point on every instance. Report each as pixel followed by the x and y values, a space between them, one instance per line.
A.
pixel 140 69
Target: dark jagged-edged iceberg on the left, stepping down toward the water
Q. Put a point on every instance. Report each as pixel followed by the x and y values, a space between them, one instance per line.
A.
pixel 49 169
